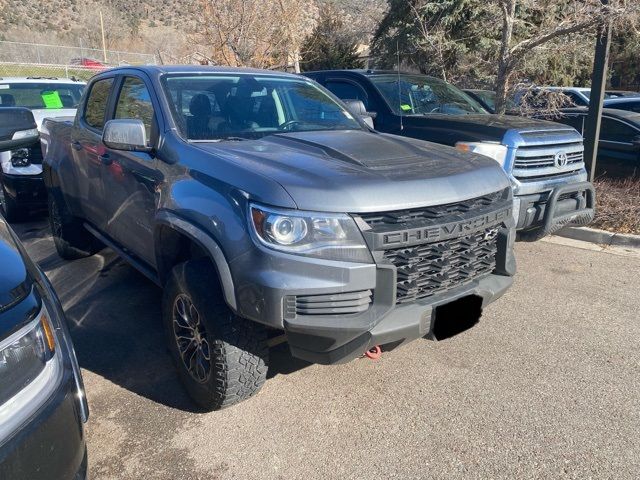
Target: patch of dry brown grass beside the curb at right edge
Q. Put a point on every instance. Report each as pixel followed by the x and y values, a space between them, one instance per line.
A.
pixel 618 205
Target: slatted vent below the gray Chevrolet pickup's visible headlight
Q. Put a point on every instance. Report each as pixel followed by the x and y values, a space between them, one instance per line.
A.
pixel 330 304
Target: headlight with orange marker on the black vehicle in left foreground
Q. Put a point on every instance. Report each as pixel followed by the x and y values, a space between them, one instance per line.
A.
pixel 30 368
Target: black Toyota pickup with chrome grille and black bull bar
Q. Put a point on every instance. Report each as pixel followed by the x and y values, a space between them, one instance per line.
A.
pixel 543 159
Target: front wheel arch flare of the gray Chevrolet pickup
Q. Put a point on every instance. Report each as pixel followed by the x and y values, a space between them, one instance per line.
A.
pixel 171 232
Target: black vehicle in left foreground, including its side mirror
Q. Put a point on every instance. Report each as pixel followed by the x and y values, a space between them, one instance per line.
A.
pixel 42 402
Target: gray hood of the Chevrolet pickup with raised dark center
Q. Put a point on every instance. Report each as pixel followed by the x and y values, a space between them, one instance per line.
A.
pixel 360 171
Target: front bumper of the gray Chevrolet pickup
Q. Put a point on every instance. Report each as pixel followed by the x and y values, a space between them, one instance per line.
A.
pixel 267 279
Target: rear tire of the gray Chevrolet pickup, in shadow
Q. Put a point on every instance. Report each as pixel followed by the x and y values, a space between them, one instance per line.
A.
pixel 71 239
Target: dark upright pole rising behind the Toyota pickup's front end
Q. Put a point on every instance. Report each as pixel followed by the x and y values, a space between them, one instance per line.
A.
pixel 598 84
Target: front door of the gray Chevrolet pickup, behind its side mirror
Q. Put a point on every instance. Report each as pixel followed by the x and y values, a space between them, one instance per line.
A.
pixel 131 179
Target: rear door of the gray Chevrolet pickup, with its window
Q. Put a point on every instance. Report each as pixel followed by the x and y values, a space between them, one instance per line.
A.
pixel 88 151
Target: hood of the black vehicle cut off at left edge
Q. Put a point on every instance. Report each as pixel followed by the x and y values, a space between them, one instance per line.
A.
pixel 15 281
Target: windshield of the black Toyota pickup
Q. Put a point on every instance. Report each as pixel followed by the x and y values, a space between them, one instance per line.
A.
pixel 420 95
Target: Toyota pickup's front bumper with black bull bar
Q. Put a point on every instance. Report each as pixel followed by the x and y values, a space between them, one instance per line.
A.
pixel 542 208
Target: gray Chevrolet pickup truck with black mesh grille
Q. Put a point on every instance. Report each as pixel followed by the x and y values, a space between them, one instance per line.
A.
pixel 267 211
